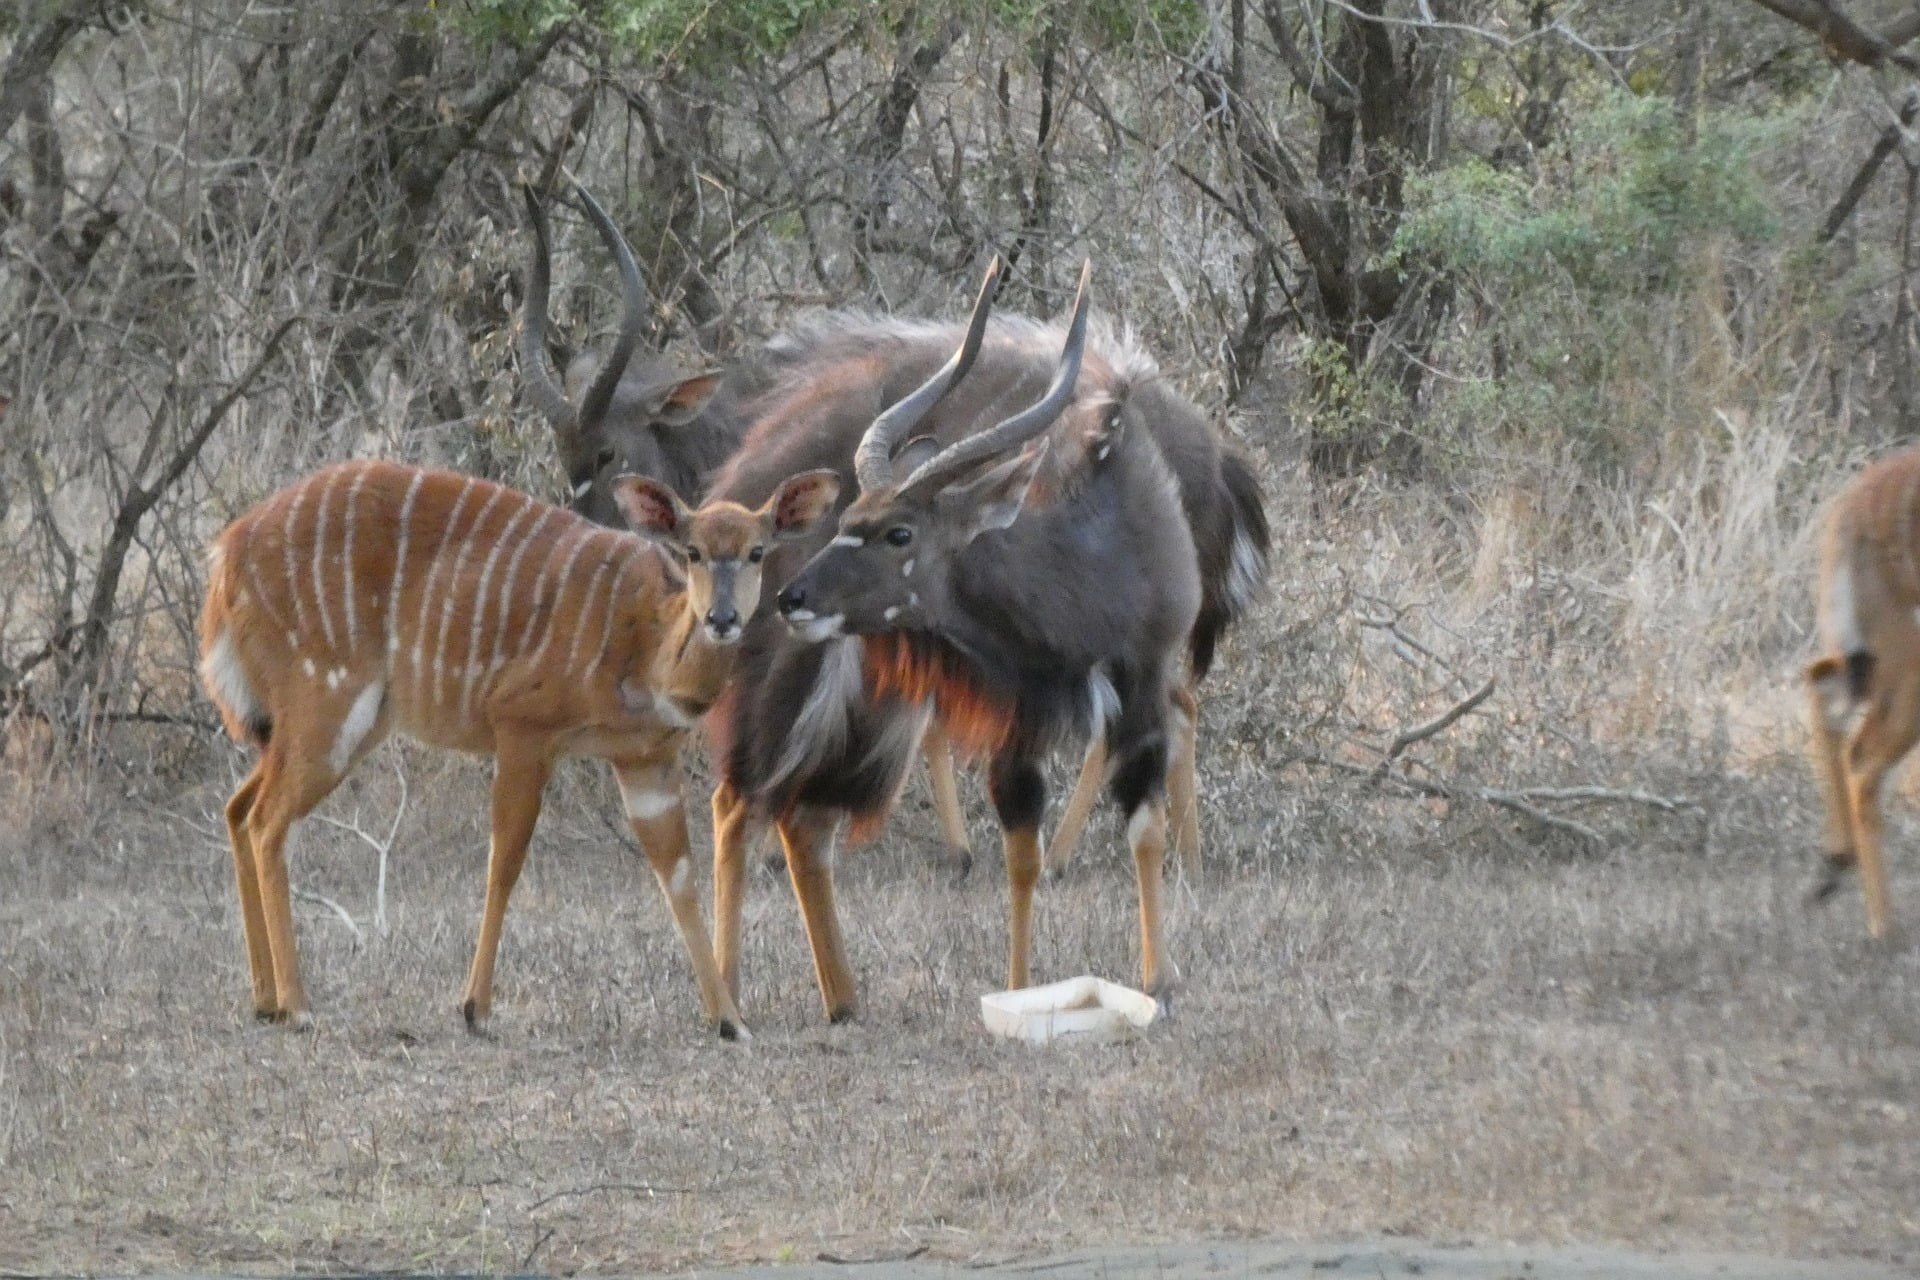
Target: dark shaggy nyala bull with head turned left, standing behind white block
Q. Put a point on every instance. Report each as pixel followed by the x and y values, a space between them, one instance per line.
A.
pixel 1026 577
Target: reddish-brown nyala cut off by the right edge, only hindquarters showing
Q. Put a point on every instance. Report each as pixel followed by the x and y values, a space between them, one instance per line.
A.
pixel 1865 690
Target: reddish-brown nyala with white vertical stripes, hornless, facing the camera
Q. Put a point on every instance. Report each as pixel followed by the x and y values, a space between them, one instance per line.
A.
pixel 373 598
